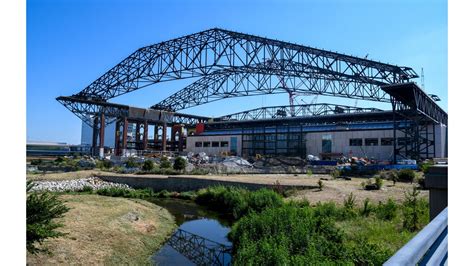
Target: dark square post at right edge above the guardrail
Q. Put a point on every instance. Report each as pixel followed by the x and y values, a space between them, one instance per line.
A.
pixel 436 180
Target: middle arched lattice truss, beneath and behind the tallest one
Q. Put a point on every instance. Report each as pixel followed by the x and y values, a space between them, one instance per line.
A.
pixel 281 76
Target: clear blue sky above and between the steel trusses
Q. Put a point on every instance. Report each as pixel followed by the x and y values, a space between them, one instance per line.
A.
pixel 70 43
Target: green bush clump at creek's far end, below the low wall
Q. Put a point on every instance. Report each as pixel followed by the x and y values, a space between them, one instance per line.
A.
pixel 238 201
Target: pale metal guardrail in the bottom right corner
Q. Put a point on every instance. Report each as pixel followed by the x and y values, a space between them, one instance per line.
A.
pixel 428 247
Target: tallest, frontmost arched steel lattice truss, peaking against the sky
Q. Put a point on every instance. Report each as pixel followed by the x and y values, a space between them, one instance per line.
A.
pixel 202 53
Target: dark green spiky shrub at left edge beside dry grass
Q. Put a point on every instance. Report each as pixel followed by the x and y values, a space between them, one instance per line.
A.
pixel 41 209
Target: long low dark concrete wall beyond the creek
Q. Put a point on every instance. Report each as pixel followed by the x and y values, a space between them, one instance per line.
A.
pixel 181 184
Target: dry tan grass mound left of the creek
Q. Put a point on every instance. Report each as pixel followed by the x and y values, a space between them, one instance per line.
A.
pixel 105 230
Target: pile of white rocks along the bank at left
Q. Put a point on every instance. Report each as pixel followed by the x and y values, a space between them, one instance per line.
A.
pixel 75 185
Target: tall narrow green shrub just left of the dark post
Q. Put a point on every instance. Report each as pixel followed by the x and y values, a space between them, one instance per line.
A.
pixel 413 210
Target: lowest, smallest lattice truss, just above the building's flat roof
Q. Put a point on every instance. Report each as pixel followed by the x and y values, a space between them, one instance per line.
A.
pixel 304 110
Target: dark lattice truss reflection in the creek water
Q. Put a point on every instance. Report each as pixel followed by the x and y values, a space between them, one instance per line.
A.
pixel 200 250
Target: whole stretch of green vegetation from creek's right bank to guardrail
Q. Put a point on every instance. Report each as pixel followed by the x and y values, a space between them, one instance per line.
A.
pixel 297 234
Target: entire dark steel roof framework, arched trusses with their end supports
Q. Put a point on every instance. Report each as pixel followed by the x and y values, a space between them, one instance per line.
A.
pixel 232 64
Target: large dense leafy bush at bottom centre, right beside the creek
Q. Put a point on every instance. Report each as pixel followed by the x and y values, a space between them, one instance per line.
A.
pixel 286 235
